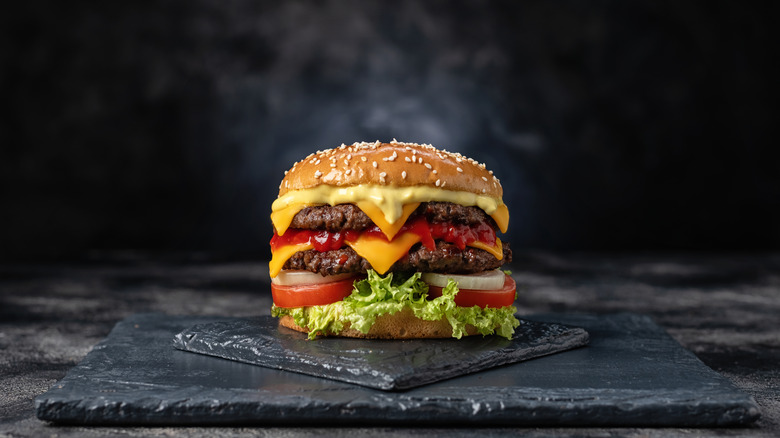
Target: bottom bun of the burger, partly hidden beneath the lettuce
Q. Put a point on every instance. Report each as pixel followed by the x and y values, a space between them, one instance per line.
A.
pixel 399 325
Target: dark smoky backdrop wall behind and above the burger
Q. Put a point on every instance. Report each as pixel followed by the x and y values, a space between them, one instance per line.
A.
pixel 167 125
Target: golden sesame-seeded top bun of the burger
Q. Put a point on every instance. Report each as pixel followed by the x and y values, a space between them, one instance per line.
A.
pixel 393 164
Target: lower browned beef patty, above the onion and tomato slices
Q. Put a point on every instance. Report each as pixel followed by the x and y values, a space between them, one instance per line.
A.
pixel 446 258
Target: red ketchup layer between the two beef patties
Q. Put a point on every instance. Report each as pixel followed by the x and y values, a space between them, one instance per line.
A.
pixel 458 234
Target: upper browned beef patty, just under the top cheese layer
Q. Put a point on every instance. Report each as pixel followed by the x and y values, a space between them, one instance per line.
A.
pixel 350 217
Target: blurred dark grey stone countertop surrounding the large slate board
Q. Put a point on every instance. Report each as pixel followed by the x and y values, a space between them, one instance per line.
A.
pixel 725 308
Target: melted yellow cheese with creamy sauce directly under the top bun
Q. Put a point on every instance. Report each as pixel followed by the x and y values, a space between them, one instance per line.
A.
pixel 386 206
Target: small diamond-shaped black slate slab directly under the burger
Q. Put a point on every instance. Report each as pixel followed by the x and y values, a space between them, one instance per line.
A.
pixel 387 365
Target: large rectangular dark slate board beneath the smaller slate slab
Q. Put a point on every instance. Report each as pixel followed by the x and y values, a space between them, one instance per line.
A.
pixel 631 374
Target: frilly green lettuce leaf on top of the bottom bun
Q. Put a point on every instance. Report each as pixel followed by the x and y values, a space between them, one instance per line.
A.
pixel 376 295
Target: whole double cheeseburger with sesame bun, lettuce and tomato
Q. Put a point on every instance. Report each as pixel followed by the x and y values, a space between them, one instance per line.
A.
pixel 391 240
